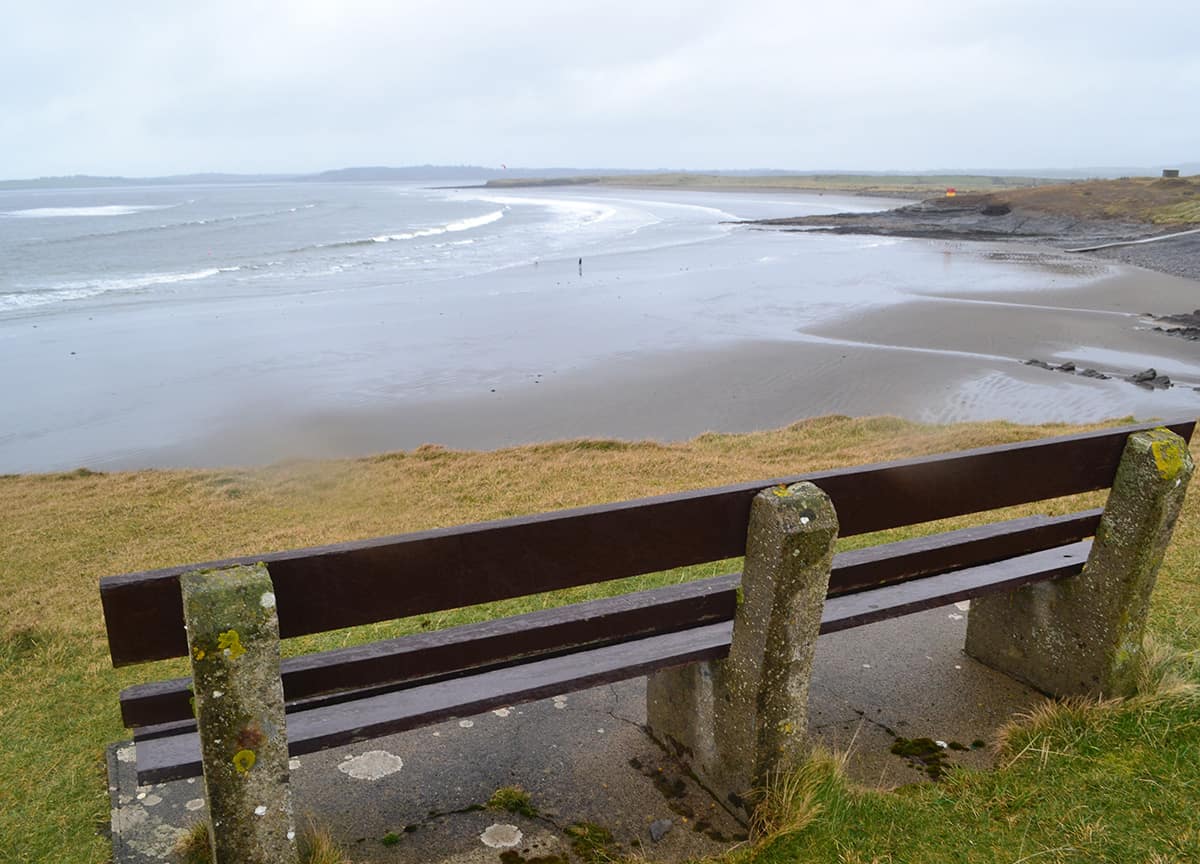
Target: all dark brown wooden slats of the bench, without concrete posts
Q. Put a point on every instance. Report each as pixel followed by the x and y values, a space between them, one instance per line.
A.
pixel 352 694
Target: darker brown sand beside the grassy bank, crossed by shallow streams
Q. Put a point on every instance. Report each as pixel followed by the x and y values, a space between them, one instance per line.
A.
pixel 933 359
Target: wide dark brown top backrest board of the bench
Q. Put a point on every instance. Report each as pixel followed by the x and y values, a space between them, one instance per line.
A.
pixel 347 585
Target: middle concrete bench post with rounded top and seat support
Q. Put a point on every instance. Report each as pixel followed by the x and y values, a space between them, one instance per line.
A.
pixel 740 721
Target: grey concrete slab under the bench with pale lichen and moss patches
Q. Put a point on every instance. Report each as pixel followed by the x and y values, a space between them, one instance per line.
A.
pixel 585 759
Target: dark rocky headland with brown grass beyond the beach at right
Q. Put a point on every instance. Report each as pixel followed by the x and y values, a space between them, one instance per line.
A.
pixel 988 219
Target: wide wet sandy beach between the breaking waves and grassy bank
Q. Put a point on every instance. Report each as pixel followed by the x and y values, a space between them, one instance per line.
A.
pixel 742 331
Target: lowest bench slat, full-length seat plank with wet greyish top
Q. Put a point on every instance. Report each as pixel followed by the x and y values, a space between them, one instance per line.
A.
pixel 171 758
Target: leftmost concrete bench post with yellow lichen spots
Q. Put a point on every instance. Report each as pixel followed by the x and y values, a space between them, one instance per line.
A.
pixel 233 635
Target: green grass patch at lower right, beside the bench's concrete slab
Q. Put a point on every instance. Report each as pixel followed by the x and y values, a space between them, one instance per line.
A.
pixel 1111 782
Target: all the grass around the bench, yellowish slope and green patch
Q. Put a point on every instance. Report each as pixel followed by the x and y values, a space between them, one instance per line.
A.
pixel 58 694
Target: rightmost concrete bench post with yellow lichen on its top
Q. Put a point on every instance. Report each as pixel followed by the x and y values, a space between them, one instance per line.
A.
pixel 1084 635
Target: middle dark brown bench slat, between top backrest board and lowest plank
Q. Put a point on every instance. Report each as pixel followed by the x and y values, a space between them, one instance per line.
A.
pixel 613 620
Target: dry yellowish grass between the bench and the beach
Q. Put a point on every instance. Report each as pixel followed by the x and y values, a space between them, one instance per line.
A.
pixel 62 533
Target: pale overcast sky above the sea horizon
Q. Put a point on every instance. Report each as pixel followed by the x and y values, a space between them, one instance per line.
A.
pixel 245 86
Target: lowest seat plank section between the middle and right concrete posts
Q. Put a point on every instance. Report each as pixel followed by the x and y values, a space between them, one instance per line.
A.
pixel 896 601
